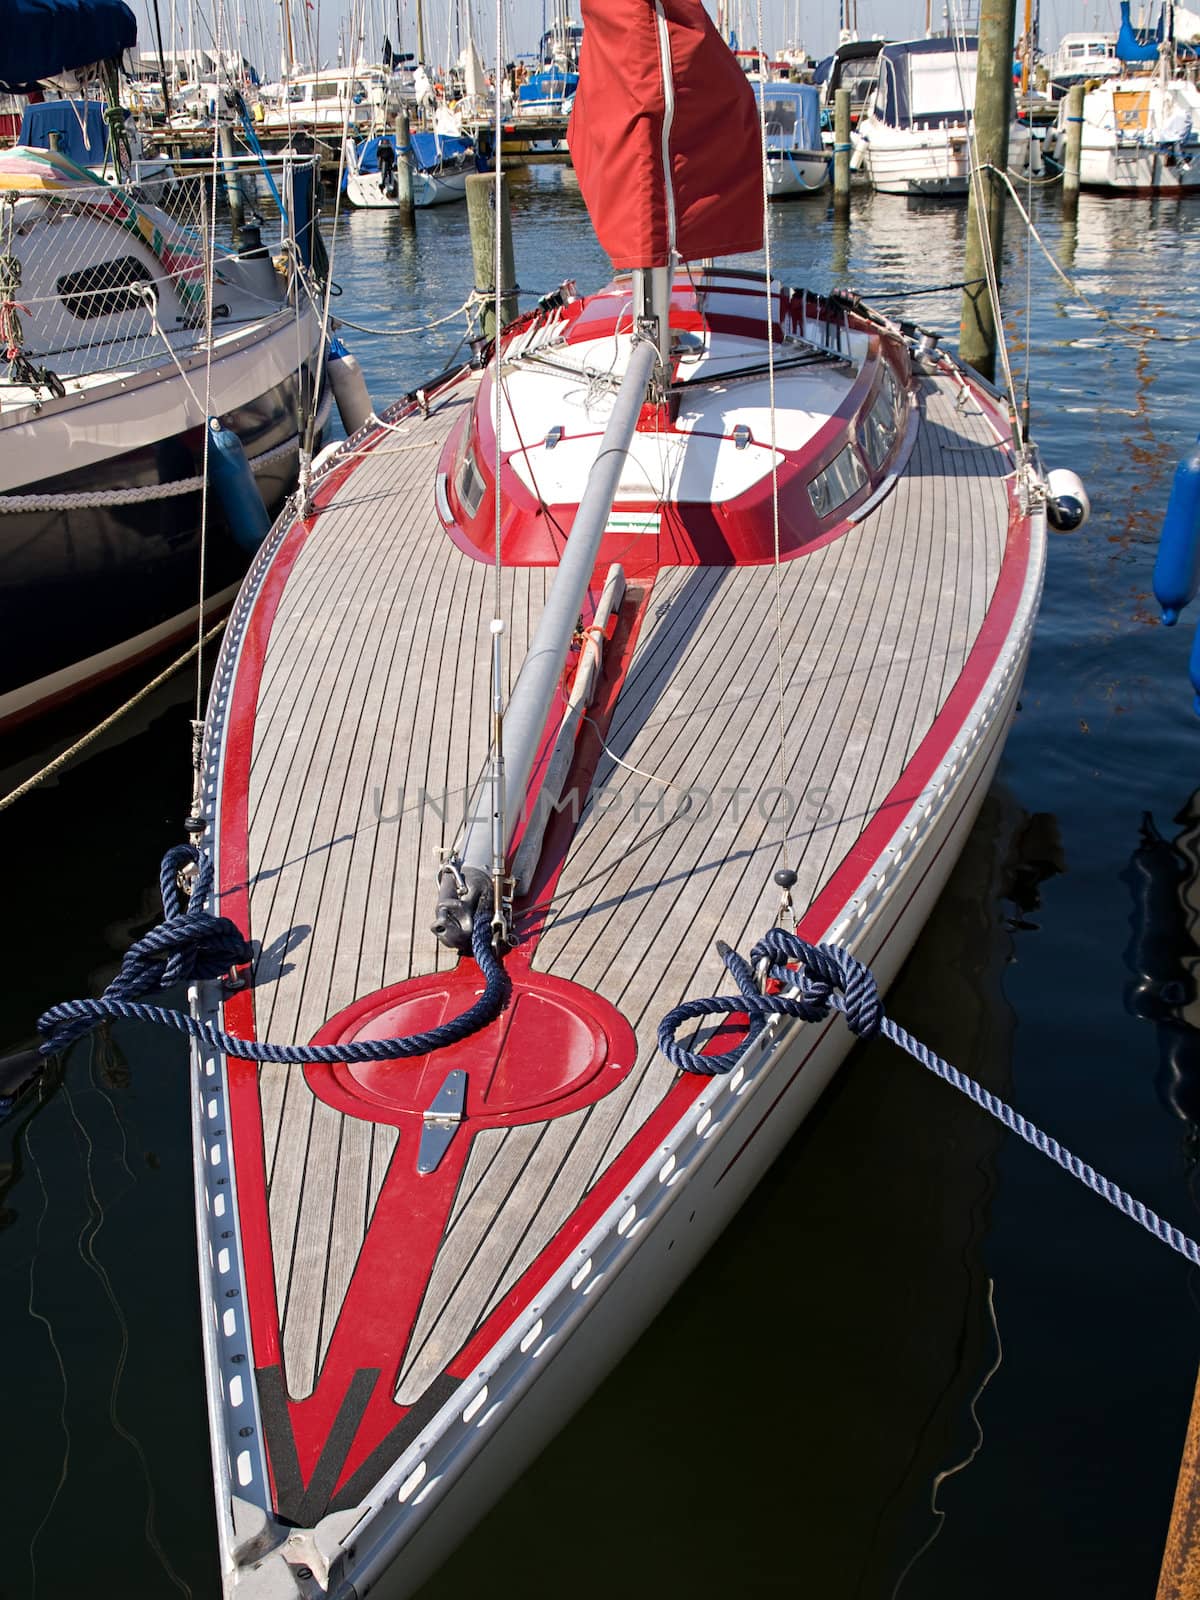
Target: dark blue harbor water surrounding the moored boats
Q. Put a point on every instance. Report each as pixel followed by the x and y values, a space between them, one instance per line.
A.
pixel 922 1362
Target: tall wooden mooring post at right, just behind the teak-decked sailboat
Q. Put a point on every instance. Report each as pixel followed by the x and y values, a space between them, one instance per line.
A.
pixel 993 114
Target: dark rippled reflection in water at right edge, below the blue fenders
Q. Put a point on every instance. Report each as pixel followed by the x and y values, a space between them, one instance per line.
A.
pixel 1164 958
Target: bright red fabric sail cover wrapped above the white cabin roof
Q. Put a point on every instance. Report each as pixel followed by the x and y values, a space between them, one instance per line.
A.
pixel 713 188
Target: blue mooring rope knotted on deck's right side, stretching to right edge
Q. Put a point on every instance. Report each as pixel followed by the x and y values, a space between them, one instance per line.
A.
pixel 830 977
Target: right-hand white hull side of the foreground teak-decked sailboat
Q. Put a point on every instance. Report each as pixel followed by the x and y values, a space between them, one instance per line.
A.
pixel 535 1398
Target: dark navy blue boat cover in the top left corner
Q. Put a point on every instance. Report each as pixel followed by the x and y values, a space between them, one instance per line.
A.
pixel 39 39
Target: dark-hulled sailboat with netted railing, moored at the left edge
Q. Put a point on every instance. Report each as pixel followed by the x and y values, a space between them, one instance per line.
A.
pixel 126 343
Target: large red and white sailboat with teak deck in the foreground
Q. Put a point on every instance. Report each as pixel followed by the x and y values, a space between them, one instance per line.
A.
pixel 697 582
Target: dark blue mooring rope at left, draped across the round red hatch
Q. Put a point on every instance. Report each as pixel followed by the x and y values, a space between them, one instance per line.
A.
pixel 193 945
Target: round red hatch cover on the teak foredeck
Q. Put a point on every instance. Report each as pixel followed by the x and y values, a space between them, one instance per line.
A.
pixel 556 1049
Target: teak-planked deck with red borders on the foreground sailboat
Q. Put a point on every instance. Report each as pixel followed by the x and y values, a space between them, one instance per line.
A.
pixel 748 719
